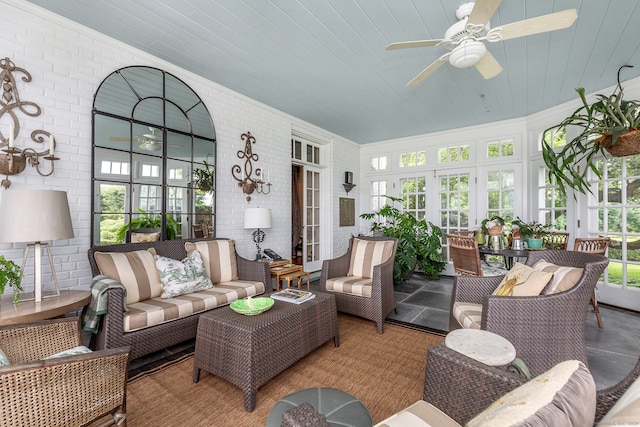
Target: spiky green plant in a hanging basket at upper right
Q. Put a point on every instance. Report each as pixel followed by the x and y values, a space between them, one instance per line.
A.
pixel 608 125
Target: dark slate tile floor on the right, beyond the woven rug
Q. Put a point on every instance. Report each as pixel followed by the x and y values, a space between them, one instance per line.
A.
pixel 612 351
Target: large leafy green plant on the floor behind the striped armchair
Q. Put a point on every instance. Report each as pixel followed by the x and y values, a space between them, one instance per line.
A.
pixel 419 241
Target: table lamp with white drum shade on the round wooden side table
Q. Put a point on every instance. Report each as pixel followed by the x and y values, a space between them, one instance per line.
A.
pixel 35 216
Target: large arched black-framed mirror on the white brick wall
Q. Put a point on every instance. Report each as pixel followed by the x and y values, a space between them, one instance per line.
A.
pixel 154 148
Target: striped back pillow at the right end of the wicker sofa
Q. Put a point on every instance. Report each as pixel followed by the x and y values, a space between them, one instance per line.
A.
pixel 219 258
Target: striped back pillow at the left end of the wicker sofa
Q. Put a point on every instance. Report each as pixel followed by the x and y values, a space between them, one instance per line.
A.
pixel 135 270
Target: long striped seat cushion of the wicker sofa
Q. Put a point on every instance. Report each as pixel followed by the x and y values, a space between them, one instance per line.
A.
pixel 158 310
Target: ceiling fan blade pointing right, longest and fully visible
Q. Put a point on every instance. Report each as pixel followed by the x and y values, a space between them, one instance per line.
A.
pixel 540 24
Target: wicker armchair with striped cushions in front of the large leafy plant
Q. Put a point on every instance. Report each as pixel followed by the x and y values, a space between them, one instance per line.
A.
pixel 362 279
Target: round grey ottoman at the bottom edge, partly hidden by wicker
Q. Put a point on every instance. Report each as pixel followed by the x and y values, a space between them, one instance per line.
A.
pixel 338 407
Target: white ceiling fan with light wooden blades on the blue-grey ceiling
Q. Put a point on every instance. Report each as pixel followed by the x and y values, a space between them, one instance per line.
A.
pixel 465 38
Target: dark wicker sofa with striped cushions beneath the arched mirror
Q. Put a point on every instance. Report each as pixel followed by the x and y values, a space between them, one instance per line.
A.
pixel 138 316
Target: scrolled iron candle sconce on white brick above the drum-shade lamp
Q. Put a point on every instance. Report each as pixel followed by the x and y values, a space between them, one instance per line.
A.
pixel 13 160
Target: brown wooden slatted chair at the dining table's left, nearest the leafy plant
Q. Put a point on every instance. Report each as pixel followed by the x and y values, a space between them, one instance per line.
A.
pixel 466 257
